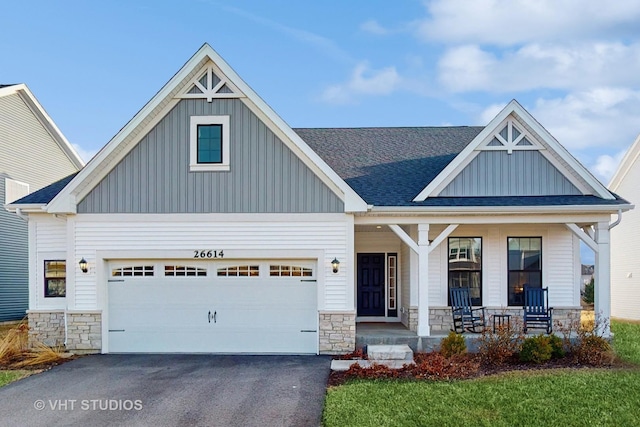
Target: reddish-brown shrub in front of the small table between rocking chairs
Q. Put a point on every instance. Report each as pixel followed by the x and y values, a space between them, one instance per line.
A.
pixel 496 348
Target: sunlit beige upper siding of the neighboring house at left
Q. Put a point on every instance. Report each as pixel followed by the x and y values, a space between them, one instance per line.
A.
pixel 28 152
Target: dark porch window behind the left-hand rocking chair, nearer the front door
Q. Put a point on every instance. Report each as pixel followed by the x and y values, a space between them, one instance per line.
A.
pixel 465 266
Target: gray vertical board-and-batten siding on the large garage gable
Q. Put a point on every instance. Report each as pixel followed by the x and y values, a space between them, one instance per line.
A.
pixel 265 175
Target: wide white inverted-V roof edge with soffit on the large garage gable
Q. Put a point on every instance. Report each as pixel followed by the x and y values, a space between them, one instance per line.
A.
pixel 166 98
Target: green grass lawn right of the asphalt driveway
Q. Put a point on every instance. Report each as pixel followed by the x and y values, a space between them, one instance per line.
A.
pixel 598 397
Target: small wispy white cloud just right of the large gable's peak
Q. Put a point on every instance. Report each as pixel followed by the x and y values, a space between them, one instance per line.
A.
pixel 363 82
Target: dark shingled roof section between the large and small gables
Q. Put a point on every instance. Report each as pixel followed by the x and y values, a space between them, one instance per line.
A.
pixel 389 166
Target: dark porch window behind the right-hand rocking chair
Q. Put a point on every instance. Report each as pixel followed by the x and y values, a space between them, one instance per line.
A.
pixel 525 266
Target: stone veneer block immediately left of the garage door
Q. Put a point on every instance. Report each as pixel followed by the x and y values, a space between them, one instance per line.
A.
pixel 84 332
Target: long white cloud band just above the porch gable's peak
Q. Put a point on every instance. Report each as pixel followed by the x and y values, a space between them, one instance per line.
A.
pixel 534 66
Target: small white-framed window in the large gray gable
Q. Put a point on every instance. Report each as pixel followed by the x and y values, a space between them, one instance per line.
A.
pixel 209 143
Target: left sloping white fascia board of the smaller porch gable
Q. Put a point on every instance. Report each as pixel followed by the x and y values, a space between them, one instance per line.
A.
pixel 465 156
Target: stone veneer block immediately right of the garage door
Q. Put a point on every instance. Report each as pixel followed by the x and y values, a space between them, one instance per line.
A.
pixel 337 332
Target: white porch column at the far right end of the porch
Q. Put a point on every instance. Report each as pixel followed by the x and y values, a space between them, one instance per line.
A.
pixel 603 277
